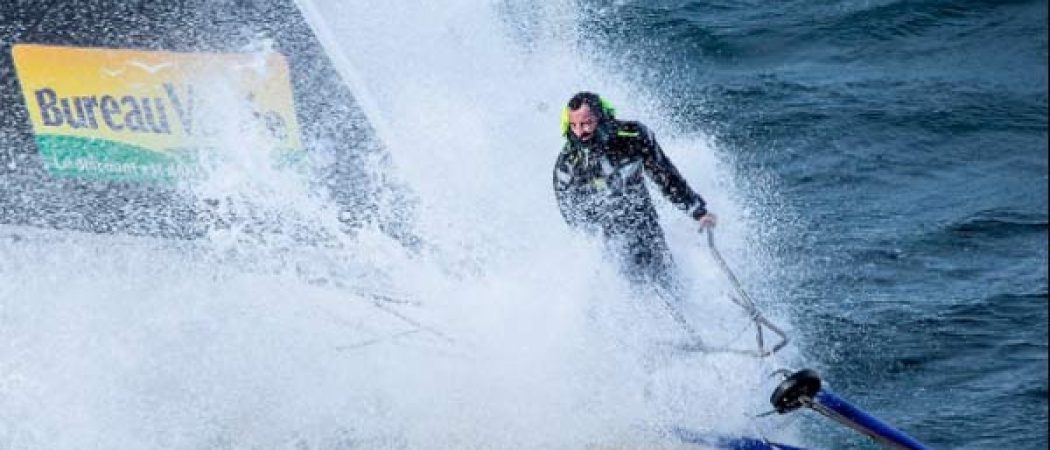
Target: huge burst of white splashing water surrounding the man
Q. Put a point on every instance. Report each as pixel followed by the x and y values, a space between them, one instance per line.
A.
pixel 501 329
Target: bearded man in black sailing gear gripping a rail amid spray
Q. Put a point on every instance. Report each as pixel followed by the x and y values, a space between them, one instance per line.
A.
pixel 600 186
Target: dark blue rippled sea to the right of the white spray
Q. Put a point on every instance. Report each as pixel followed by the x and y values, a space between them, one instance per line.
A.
pixel 898 151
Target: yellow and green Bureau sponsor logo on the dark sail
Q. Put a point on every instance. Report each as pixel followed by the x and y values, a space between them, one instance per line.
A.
pixel 123 115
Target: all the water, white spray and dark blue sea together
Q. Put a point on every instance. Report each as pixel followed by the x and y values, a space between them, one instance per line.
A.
pixel 880 170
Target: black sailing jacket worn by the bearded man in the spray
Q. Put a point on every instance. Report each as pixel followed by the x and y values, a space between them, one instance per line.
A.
pixel 601 187
